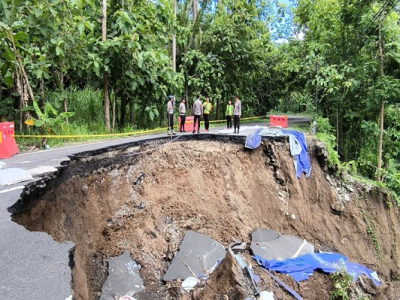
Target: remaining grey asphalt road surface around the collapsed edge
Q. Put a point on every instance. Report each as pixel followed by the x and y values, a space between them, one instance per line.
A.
pixel 33 265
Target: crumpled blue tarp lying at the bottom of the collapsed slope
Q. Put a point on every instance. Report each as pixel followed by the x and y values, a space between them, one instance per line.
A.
pixel 302 267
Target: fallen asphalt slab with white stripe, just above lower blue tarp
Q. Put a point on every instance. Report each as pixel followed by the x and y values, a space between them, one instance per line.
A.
pixel 270 244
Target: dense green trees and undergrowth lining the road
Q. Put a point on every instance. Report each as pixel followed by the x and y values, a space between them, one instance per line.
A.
pixel 74 67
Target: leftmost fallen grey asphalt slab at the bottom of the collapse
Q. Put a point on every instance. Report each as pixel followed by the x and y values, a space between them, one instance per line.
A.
pixel 123 278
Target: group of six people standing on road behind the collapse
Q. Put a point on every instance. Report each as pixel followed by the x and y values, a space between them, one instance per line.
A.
pixel 199 109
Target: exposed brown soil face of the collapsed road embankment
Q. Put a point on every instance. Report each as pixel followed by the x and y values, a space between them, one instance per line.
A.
pixel 116 201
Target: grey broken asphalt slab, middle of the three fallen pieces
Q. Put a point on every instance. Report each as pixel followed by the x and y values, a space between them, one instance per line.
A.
pixel 200 252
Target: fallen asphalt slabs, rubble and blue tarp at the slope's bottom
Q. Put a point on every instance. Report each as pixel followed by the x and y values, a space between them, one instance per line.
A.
pixel 202 266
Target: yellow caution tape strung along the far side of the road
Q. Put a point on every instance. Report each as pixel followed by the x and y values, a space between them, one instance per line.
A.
pixel 132 133
